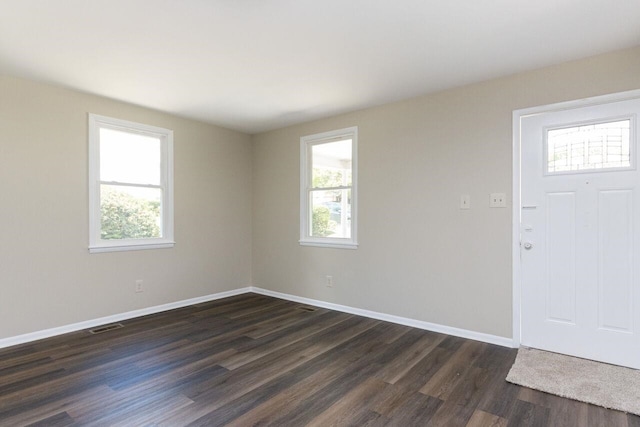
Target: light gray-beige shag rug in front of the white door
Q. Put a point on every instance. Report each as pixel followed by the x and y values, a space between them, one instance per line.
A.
pixel 613 387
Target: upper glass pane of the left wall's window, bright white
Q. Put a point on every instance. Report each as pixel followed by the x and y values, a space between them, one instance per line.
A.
pixel 129 157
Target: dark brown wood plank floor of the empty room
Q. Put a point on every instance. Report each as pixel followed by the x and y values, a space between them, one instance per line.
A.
pixel 254 360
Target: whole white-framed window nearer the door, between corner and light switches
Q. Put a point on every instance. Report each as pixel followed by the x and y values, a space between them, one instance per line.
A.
pixel 328 189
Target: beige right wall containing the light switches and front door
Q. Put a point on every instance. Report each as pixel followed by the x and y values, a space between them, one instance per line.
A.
pixel 420 256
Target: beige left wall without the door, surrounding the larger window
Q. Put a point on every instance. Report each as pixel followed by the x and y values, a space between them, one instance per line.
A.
pixel 47 276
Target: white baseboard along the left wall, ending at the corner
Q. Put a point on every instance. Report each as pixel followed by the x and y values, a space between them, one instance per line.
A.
pixel 47 333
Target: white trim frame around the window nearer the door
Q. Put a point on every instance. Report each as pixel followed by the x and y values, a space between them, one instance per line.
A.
pixel 305 186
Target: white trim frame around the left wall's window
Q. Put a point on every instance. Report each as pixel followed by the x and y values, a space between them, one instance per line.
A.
pixel 96 244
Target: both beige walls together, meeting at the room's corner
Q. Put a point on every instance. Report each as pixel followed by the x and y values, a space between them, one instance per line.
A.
pixel 419 256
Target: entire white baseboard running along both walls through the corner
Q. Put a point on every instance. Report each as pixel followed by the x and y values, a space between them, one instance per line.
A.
pixel 463 333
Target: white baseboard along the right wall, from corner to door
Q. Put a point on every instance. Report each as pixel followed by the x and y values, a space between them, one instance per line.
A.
pixel 434 327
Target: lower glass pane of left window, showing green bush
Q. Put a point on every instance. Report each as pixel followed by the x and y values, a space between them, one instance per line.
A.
pixel 130 212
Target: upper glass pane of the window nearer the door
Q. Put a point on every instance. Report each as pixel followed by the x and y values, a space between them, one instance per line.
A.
pixel 331 164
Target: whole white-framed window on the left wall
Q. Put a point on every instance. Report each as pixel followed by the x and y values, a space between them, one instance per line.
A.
pixel 130 185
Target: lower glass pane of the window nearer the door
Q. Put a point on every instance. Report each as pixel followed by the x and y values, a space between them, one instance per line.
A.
pixel 330 213
